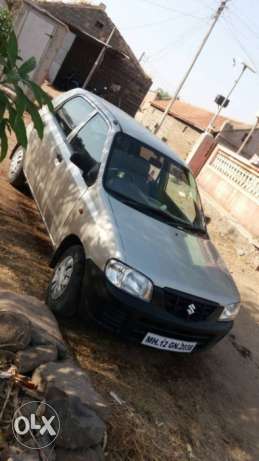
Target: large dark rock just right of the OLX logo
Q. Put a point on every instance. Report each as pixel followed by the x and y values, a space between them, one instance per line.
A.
pixel 80 427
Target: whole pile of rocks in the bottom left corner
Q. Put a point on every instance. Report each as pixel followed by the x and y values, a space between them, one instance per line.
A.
pixel 30 340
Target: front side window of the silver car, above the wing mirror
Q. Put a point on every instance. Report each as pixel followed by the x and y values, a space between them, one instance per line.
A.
pixel 88 144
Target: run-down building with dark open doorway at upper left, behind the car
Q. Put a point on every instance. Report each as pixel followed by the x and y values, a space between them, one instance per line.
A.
pixel 67 38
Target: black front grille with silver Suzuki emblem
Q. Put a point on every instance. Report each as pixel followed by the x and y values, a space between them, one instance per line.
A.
pixel 191 308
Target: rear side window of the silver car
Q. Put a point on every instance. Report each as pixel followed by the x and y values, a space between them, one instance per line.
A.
pixel 72 113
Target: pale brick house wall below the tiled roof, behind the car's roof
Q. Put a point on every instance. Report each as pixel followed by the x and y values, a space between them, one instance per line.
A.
pixel 178 135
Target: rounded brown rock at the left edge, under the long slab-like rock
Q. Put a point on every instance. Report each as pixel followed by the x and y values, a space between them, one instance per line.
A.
pixel 15 331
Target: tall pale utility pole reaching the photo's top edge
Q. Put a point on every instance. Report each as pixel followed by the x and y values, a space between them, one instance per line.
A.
pixel 203 43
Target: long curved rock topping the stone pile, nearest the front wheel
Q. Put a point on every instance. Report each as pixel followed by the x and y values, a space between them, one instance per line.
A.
pixel 44 327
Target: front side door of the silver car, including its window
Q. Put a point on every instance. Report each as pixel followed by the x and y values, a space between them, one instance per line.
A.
pixel 66 181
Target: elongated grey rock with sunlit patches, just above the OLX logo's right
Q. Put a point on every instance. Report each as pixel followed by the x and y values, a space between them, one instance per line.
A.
pixel 73 381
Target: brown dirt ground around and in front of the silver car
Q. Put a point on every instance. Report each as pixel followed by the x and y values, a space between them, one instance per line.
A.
pixel 203 407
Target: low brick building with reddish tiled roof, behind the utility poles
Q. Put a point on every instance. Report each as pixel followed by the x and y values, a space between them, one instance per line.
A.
pixel 185 123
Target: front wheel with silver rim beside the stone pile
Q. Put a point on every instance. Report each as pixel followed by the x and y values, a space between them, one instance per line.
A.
pixel 64 290
